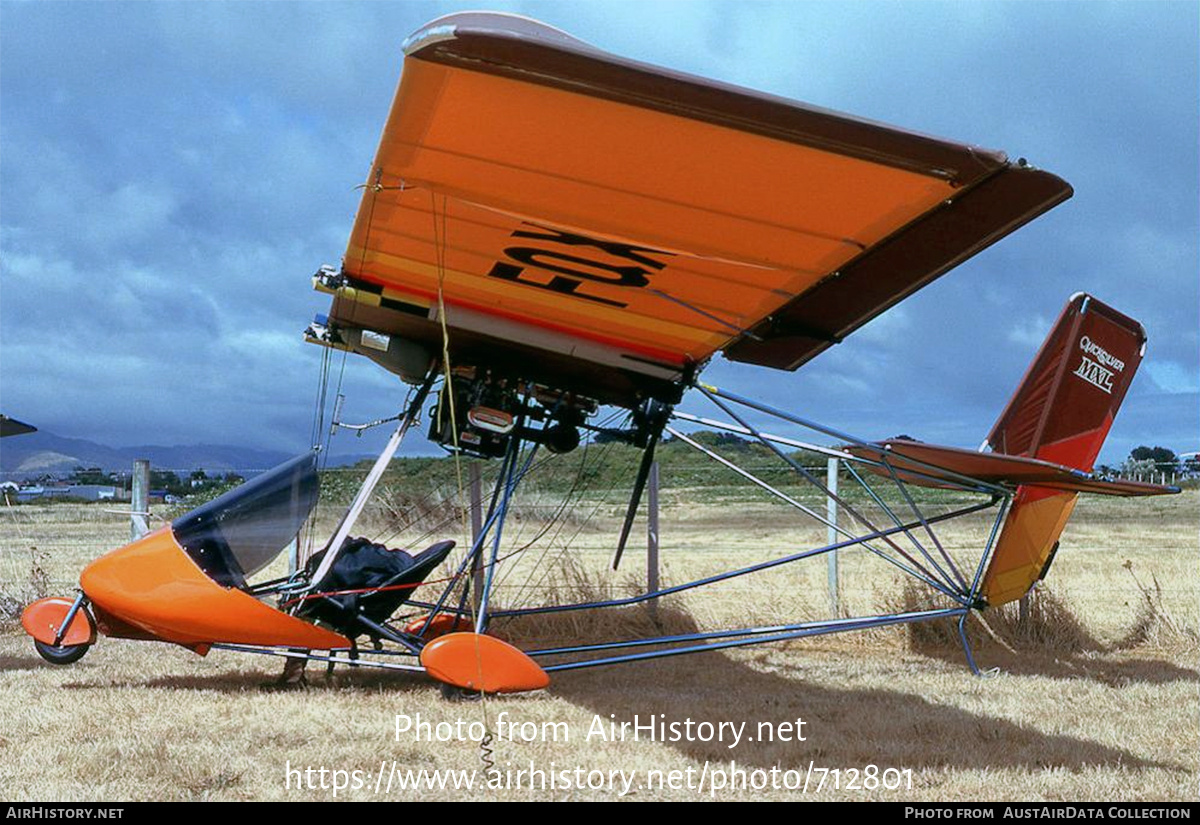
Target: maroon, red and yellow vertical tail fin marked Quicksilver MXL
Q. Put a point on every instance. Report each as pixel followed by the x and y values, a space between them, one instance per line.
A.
pixel 1061 413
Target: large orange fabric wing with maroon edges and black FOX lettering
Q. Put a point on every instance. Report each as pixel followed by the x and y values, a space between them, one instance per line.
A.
pixel 626 219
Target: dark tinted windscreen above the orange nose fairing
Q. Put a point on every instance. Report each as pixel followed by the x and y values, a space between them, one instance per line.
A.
pixel 242 532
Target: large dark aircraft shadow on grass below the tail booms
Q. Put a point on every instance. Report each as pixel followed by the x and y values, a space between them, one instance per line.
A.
pixel 849 727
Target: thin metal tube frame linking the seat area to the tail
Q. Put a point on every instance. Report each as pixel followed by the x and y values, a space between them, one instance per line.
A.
pixel 950 585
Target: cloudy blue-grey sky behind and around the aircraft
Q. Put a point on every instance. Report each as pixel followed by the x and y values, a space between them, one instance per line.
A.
pixel 172 174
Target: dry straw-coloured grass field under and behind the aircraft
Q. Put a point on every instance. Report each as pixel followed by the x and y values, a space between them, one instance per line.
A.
pixel 1095 698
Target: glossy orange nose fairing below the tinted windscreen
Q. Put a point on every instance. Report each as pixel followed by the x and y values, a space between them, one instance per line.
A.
pixel 153 585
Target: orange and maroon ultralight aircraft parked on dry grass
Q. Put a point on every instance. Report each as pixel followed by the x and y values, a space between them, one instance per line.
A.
pixel 549 230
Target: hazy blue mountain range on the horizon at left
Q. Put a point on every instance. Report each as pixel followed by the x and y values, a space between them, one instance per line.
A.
pixel 46 454
